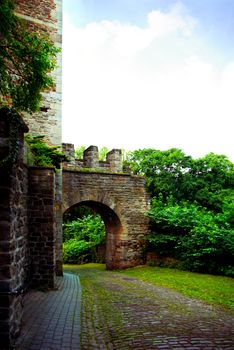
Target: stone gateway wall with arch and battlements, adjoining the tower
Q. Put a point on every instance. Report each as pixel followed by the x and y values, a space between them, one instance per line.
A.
pixel 119 198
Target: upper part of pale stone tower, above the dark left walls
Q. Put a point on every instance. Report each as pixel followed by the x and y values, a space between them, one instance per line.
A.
pixel 46 16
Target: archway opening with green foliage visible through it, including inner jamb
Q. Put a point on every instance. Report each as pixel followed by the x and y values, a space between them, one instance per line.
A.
pixel 91 231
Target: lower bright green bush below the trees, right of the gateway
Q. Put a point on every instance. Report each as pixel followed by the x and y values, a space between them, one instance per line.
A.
pixel 197 237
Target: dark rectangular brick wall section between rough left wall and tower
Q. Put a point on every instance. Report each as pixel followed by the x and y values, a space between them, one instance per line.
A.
pixel 42 226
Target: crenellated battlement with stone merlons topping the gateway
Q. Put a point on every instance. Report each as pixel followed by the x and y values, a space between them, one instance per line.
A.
pixel 90 160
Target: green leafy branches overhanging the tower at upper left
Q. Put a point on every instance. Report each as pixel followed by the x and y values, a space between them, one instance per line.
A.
pixel 26 61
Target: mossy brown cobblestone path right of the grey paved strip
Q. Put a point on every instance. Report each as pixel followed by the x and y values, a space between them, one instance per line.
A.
pixel 121 313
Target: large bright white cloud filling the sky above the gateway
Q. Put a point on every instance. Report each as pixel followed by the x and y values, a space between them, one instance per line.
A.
pixel 133 87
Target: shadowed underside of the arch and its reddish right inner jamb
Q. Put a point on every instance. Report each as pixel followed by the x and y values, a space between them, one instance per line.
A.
pixel 114 230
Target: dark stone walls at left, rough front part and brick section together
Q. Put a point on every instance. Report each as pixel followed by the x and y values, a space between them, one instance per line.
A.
pixel 27 230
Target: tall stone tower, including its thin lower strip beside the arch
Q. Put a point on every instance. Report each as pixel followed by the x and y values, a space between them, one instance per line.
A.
pixel 46 16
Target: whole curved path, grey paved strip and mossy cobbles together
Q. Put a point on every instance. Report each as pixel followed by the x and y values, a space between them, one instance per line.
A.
pixel 121 313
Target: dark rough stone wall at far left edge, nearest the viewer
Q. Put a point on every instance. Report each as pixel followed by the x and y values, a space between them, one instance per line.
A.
pixel 13 234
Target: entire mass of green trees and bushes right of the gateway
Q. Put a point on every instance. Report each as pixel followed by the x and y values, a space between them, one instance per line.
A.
pixel 192 212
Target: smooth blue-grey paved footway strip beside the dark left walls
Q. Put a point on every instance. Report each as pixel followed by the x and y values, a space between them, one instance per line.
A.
pixel 52 319
